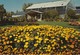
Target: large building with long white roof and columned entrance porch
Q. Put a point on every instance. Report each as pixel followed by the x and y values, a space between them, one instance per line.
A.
pixel 60 6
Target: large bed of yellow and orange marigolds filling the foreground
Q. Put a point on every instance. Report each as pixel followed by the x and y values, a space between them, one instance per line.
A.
pixel 42 39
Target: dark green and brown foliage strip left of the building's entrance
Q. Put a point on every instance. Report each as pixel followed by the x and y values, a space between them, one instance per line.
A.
pixel 18 21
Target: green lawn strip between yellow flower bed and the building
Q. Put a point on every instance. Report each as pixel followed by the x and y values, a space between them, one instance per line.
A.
pixel 54 23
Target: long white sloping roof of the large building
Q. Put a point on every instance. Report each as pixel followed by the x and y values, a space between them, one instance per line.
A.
pixel 49 4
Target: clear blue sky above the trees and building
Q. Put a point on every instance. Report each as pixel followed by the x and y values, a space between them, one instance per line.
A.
pixel 14 5
